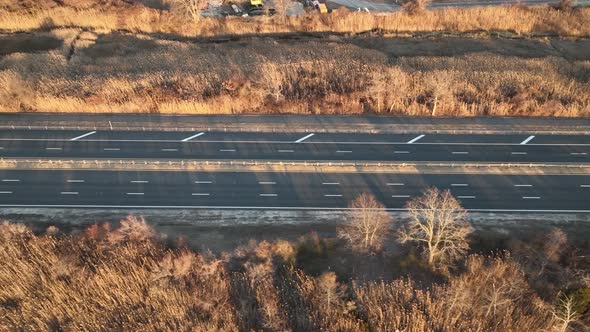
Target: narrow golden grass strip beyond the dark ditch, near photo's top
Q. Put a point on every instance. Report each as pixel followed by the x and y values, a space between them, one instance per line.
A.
pixel 144 19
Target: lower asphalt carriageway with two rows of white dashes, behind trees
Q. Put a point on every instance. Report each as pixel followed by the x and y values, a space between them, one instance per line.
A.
pixel 110 189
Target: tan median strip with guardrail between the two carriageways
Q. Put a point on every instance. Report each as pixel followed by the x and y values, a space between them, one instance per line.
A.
pixel 283 167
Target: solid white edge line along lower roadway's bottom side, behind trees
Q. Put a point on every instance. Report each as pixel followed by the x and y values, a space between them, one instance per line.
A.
pixel 175 207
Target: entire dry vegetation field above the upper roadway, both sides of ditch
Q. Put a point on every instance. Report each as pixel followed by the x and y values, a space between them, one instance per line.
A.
pixel 112 56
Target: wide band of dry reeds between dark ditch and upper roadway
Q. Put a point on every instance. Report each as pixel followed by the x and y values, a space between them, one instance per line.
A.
pixel 466 76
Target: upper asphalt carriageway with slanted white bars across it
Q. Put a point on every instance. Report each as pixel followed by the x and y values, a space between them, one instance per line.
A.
pixel 522 148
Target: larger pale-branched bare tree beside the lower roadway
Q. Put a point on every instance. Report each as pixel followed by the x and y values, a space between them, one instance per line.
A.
pixel 438 224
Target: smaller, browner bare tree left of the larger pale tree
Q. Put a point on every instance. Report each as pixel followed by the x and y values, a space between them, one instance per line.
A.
pixel 367 225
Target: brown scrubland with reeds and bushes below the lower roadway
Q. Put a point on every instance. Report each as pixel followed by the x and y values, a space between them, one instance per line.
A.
pixel 130 278
